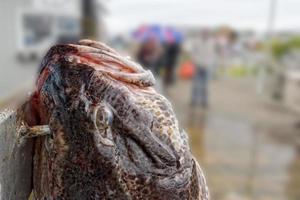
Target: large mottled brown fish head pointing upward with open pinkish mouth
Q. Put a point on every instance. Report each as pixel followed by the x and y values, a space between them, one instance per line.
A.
pixel 112 136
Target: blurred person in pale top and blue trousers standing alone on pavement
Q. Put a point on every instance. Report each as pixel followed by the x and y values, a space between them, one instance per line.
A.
pixel 202 51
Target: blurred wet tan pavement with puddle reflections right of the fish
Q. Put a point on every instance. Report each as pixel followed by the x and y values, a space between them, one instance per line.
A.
pixel 248 149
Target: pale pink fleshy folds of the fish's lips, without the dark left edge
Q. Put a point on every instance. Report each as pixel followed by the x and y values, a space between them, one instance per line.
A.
pixel 106 60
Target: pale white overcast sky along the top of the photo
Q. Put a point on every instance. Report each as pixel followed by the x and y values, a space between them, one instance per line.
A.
pixel 242 14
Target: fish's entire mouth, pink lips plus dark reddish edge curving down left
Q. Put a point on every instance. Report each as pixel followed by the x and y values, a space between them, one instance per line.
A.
pixel 100 57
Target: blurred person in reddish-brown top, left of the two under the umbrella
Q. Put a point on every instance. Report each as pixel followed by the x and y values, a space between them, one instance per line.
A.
pixel 150 56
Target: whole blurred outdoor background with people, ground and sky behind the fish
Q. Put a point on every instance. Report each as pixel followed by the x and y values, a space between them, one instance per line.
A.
pixel 230 68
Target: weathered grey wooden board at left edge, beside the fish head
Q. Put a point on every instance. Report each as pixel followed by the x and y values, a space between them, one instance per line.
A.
pixel 15 160
